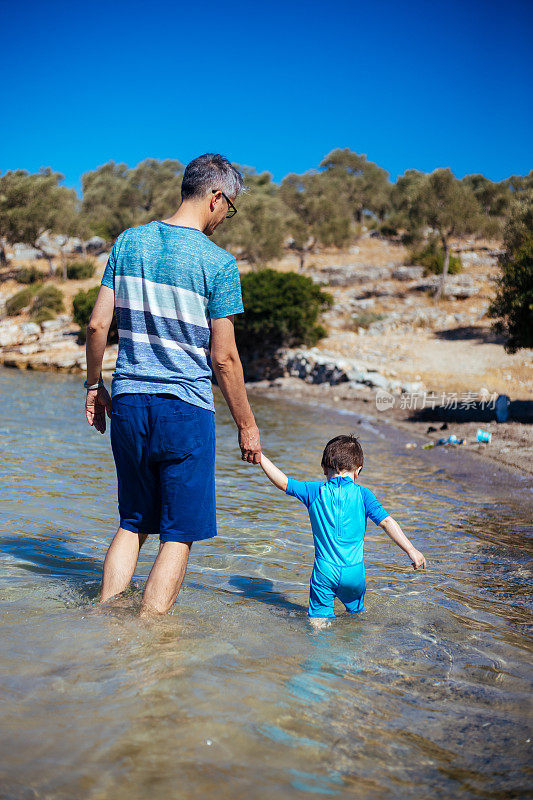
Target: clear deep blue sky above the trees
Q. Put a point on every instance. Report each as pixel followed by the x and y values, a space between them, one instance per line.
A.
pixel 272 85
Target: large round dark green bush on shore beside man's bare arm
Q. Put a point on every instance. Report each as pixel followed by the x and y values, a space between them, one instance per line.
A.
pixel 281 310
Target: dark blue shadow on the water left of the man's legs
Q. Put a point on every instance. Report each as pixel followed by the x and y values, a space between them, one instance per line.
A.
pixel 54 560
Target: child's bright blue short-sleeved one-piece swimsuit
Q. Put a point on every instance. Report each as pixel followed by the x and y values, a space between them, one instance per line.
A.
pixel 338 511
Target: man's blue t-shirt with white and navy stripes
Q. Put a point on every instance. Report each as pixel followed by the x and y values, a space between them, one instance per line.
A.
pixel 169 281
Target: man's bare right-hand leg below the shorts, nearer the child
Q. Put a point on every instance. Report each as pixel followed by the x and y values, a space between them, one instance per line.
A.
pixel 165 578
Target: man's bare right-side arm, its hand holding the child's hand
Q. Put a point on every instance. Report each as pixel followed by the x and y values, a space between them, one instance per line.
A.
pixel 228 372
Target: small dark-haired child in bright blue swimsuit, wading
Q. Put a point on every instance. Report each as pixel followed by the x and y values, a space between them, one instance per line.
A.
pixel 338 510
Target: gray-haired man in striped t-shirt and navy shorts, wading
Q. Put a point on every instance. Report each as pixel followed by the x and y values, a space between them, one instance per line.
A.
pixel 175 294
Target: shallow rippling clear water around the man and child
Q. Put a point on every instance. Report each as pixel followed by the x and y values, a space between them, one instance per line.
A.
pixel 234 695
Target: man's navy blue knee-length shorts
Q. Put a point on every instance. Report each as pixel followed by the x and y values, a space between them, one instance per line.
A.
pixel 164 451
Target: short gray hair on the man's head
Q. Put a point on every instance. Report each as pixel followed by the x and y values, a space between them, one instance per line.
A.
pixel 208 172
